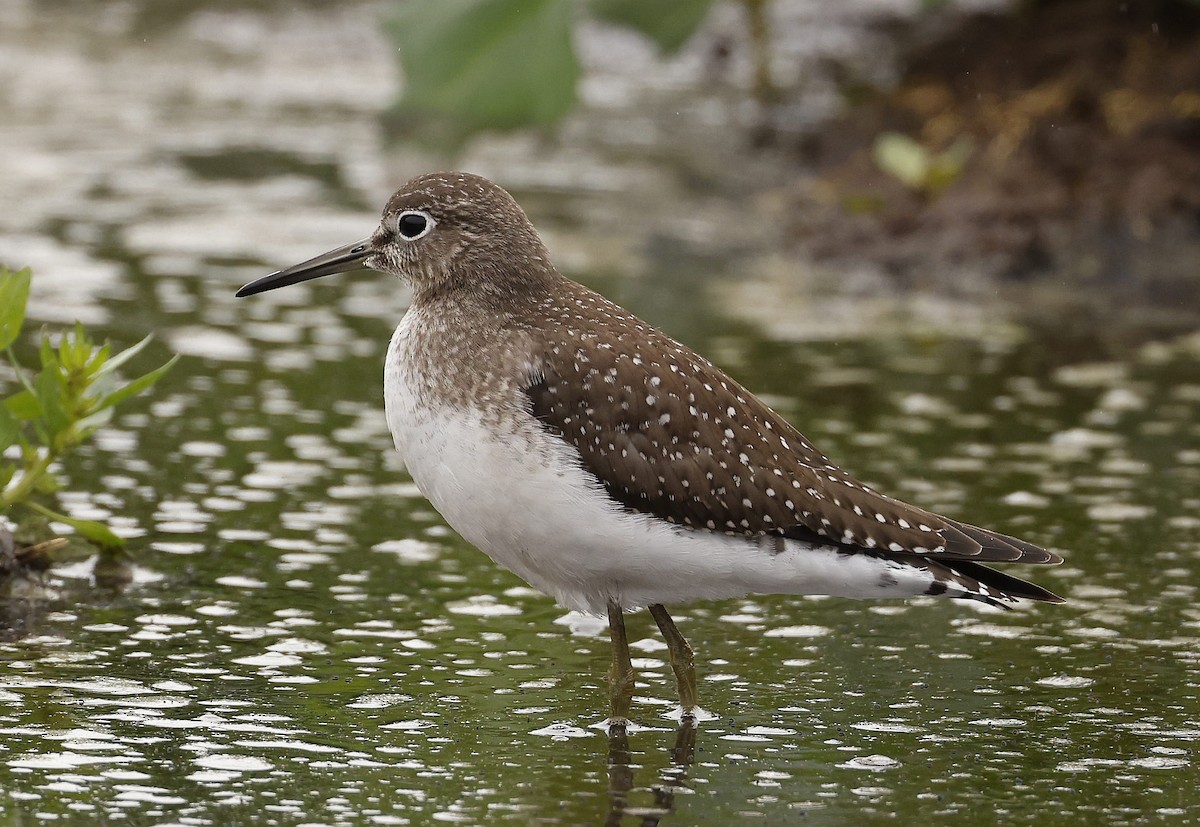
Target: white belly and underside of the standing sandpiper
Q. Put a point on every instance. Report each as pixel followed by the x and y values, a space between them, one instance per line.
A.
pixel 523 498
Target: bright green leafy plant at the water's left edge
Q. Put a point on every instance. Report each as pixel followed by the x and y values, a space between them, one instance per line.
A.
pixel 57 409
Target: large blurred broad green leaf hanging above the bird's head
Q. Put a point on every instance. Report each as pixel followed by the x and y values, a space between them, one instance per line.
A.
pixel 487 64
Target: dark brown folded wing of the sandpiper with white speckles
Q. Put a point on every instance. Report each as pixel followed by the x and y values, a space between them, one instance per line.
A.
pixel 671 435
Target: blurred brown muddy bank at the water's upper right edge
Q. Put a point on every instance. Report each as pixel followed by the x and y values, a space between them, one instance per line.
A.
pixel 1083 119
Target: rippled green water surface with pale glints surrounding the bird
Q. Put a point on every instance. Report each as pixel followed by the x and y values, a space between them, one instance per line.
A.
pixel 305 643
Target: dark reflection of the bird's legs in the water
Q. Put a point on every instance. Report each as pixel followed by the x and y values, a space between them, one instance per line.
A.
pixel 671 778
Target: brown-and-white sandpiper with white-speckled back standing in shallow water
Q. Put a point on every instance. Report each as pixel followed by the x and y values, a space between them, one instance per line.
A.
pixel 607 464
